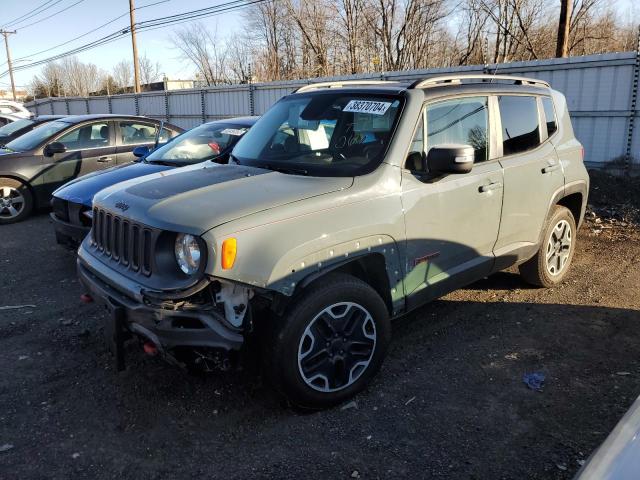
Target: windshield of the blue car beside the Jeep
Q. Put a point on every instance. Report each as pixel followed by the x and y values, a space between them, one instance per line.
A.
pixel 202 143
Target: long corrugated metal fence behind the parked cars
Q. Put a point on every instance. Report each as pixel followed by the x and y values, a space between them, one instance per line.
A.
pixel 598 90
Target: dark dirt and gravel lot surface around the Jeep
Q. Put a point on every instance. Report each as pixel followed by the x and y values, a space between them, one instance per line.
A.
pixel 449 402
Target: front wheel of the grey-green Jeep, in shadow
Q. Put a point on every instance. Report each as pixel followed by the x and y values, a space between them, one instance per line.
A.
pixel 330 344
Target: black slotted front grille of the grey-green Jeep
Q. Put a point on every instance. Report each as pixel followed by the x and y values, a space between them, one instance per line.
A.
pixel 128 243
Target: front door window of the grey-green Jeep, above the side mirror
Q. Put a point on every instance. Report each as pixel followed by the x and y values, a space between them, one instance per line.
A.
pixel 461 121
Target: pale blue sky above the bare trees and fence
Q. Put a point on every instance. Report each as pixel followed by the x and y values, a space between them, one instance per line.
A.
pixel 89 14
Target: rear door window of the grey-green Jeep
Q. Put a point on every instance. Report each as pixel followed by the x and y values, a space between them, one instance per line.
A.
pixel 520 129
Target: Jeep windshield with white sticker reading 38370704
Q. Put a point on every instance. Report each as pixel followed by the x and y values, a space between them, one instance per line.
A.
pixel 334 134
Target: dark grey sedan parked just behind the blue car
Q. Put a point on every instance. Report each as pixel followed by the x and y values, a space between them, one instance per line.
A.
pixel 35 164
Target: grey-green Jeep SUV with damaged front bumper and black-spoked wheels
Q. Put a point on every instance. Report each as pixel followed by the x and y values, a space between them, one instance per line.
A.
pixel 346 205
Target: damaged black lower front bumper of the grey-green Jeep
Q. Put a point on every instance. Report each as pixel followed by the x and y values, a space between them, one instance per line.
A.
pixel 166 329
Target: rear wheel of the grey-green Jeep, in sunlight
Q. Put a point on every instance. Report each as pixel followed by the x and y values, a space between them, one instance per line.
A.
pixel 551 263
